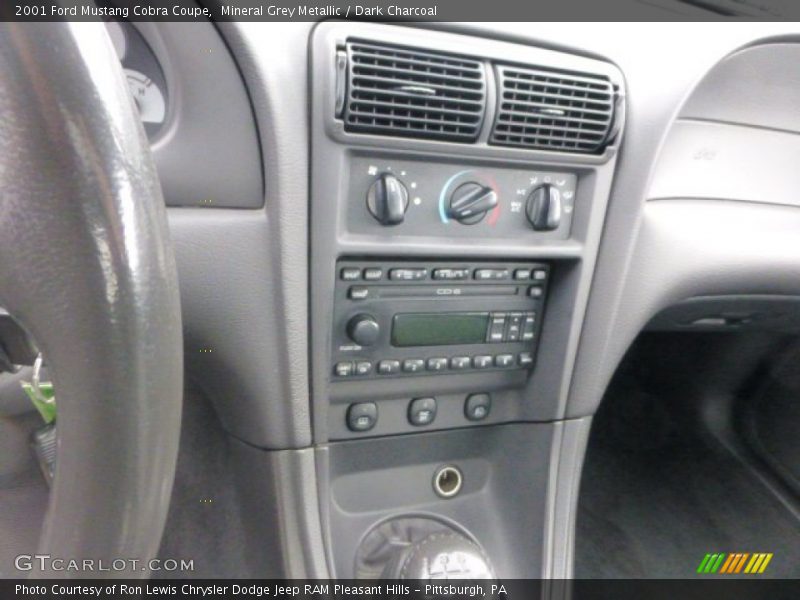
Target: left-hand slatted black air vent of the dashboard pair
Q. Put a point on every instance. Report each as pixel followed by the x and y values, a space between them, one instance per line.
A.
pixel 410 93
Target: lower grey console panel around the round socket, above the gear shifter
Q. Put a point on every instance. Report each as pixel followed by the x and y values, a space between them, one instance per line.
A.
pixel 502 504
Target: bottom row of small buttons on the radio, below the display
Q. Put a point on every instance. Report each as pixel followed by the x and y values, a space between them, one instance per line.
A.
pixel 437 364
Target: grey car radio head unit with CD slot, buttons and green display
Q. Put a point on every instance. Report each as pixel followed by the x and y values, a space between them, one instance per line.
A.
pixel 399 319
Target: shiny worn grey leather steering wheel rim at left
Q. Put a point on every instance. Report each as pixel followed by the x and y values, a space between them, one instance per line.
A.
pixel 87 267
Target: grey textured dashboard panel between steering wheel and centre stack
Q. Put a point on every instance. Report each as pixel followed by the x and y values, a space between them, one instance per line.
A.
pixel 243 273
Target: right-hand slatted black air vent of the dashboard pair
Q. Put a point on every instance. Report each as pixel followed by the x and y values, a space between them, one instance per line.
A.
pixel 552 110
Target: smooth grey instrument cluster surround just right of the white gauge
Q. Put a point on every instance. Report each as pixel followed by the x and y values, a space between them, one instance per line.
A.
pixel 207 152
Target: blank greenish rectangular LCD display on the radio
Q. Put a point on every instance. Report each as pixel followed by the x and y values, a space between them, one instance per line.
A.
pixel 439 329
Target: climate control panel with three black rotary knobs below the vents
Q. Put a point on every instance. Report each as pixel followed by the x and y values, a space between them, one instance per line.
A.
pixel 429 199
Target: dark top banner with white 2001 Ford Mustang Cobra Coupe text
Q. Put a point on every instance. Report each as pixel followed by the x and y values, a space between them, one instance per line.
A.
pixel 400 10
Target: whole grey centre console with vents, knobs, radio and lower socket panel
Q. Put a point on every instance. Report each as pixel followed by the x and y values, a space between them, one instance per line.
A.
pixel 459 187
